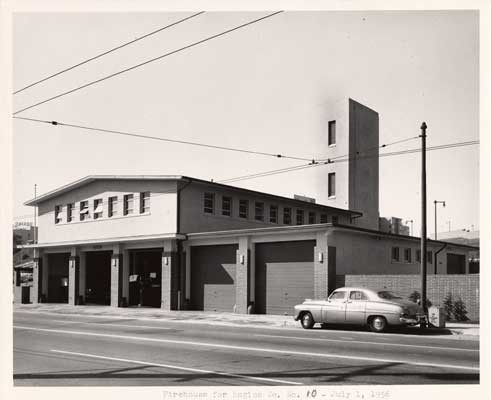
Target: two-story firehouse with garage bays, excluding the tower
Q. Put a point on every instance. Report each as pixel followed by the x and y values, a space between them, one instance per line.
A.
pixel 177 242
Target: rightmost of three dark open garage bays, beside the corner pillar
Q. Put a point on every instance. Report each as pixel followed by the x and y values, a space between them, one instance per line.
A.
pixel 145 277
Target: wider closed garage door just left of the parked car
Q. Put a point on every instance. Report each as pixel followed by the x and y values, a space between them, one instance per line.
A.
pixel 284 275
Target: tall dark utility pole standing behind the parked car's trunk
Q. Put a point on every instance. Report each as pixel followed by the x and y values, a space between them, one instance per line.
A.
pixel 423 239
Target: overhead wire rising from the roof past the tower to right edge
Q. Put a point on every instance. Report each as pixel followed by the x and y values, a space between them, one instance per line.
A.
pixel 345 159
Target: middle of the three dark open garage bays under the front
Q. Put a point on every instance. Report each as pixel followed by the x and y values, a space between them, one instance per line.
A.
pixel 98 277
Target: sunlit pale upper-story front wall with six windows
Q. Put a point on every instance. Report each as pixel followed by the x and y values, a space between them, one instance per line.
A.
pixel 160 219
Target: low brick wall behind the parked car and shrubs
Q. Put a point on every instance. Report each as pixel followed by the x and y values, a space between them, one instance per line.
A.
pixel 465 286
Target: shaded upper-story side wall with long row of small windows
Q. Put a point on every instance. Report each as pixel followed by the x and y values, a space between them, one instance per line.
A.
pixel 194 219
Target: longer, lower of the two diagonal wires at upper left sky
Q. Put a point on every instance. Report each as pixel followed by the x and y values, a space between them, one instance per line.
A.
pixel 146 62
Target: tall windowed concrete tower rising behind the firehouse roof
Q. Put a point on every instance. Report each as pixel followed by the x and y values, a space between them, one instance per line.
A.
pixel 352 132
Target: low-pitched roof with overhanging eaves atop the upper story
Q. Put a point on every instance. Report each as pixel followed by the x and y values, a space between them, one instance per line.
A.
pixel 92 178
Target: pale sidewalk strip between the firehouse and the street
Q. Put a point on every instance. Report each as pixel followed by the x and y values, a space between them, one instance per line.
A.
pixel 452 330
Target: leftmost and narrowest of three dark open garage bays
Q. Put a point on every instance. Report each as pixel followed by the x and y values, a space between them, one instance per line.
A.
pixel 58 277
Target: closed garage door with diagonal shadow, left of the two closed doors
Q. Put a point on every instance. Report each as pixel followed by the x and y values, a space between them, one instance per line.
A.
pixel 213 273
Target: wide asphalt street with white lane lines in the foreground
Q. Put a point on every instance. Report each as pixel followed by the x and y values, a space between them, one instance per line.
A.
pixel 82 350
